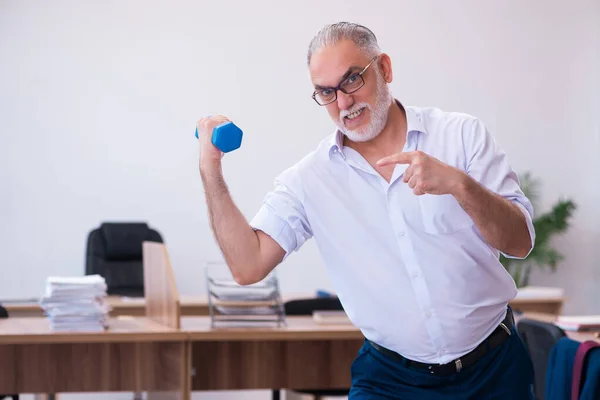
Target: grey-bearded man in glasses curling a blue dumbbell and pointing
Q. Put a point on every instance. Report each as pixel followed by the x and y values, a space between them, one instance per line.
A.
pixel 410 208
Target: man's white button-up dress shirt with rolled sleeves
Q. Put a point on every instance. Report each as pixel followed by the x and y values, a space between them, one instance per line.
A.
pixel 412 272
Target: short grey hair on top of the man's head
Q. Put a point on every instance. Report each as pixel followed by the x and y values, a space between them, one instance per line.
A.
pixel 331 34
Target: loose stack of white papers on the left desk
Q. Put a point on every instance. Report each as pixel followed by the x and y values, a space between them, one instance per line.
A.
pixel 76 303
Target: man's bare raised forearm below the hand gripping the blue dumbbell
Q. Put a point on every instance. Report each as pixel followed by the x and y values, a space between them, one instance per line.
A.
pixel 236 238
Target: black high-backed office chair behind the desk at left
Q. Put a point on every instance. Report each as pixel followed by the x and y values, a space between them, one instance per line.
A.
pixel 114 251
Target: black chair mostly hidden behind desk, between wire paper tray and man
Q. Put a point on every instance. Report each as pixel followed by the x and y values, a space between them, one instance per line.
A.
pixel 307 307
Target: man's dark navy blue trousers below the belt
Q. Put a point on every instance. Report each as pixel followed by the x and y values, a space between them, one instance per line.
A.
pixel 504 373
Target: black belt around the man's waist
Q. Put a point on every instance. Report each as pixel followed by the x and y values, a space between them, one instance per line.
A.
pixel 495 339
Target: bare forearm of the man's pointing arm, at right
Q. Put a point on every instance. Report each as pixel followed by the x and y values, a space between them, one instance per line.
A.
pixel 500 222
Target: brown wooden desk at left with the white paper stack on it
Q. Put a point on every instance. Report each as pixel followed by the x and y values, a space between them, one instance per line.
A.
pixel 135 354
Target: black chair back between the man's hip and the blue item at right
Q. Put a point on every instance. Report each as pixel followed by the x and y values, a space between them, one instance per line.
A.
pixel 539 338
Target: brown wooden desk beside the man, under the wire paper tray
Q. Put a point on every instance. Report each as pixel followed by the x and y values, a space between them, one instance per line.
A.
pixel 303 355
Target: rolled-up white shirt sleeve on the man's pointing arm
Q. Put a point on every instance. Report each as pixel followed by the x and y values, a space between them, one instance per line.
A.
pixel 488 164
